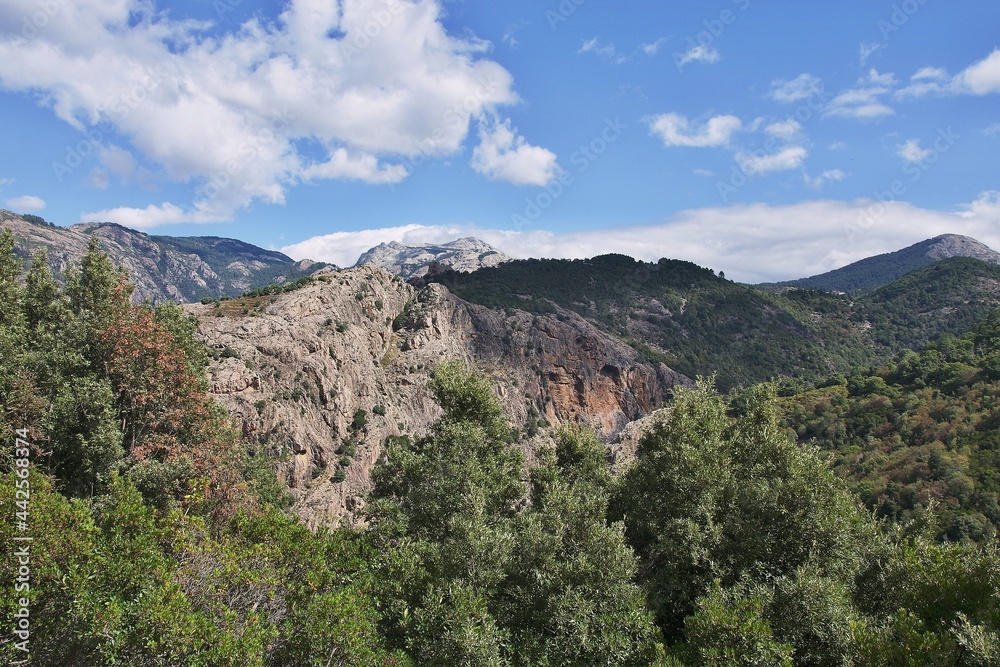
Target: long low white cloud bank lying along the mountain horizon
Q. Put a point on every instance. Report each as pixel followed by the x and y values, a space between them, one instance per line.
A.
pixel 751 243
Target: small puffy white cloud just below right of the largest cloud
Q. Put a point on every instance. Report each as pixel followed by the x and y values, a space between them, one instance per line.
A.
pixel 504 155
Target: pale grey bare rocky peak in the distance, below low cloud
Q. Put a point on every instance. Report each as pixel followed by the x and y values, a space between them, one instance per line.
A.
pixel 410 261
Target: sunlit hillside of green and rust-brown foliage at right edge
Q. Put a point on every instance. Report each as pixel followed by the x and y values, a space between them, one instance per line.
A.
pixel 922 429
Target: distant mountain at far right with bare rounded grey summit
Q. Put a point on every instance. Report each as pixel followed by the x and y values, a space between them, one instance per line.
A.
pixel 882 269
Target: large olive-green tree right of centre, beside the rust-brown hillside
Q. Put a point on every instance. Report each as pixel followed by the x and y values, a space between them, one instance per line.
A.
pixel 713 498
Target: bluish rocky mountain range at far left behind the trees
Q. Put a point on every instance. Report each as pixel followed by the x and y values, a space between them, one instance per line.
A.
pixel 163 268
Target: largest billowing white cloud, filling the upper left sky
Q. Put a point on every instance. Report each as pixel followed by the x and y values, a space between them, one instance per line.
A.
pixel 229 112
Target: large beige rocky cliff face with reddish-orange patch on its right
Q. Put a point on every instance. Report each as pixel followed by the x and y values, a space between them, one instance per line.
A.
pixel 324 375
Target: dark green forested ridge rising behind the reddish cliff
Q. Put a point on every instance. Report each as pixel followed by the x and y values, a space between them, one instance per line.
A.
pixel 701 324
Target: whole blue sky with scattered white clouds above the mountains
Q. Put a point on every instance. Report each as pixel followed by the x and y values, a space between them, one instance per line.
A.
pixel 770 140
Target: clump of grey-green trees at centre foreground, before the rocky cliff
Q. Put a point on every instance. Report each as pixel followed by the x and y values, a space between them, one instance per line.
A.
pixel 484 577
